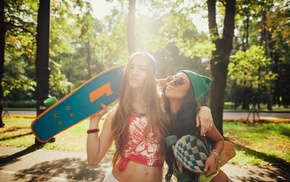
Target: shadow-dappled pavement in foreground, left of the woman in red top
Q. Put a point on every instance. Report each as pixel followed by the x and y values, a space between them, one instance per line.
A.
pixel 28 164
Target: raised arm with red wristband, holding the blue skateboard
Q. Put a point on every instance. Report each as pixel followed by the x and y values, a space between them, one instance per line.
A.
pixel 98 145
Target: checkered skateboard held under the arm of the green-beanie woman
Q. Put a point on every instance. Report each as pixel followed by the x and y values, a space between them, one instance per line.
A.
pixel 191 153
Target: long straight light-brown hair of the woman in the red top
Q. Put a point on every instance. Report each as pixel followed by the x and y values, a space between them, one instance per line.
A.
pixel 155 114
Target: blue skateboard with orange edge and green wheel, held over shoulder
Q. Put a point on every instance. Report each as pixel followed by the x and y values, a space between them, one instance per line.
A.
pixel 78 105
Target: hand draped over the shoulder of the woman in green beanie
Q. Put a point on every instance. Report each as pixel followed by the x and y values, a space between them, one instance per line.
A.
pixel 204 120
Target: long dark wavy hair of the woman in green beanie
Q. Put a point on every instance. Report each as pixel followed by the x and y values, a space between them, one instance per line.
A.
pixel 183 123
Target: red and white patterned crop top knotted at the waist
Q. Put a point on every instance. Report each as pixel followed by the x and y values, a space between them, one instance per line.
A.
pixel 138 149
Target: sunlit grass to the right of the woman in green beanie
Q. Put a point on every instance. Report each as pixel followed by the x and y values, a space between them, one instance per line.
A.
pixel 262 144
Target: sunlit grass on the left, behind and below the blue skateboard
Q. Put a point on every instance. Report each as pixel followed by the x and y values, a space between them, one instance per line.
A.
pixel 17 133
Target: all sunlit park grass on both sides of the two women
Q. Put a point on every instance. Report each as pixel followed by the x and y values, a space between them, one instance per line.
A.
pixel 261 144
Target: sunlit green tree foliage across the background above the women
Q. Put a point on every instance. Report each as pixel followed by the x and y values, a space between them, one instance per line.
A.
pixel 82 45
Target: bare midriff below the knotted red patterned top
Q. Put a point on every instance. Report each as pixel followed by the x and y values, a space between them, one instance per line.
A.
pixel 138 172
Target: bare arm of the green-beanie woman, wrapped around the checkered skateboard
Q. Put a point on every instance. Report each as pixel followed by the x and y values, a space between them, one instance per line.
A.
pixel 213 161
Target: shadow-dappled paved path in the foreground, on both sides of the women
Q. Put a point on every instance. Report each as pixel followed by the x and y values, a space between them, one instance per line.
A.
pixel 28 164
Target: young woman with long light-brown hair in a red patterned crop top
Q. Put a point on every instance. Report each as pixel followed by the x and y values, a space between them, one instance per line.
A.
pixel 137 126
